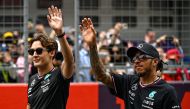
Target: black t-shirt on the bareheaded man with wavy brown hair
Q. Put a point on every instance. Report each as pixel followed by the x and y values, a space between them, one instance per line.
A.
pixel 49 92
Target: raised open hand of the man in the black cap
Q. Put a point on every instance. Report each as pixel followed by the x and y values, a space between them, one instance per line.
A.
pixel 88 31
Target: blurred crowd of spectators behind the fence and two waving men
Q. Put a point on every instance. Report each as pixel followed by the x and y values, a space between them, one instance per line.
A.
pixel 112 49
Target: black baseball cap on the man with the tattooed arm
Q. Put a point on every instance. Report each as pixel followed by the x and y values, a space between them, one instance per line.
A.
pixel 144 48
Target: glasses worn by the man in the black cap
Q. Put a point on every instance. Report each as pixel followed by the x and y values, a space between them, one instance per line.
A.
pixel 141 57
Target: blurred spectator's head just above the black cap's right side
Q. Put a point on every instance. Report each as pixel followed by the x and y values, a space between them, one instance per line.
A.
pixel 150 37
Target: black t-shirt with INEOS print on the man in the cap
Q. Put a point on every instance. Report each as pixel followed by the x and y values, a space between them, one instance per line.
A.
pixel 159 95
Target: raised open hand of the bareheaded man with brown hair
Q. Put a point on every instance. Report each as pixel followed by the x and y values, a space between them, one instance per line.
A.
pixel 55 18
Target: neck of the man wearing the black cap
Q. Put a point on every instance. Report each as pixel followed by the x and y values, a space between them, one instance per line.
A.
pixel 148 79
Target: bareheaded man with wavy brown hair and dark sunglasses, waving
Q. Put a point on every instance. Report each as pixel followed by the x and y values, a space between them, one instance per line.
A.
pixel 49 88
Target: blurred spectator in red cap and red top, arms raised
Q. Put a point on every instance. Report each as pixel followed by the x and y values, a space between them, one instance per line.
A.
pixel 174 53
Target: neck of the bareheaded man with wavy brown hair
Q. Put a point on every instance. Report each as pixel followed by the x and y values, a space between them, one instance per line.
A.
pixel 44 70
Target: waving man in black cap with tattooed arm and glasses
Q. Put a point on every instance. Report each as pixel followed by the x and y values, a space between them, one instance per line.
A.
pixel 145 90
